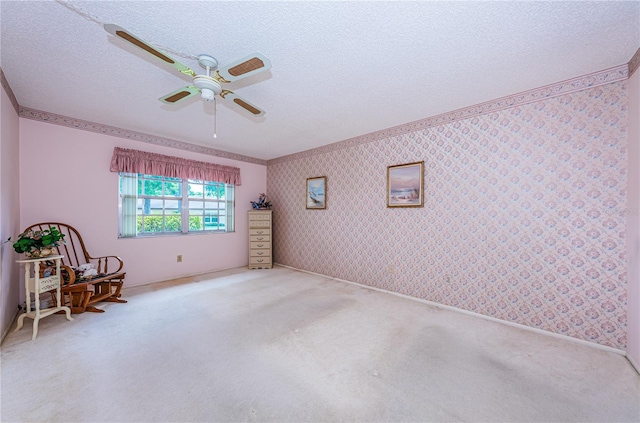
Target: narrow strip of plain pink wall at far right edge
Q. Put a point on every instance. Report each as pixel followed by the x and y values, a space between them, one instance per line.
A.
pixel 633 221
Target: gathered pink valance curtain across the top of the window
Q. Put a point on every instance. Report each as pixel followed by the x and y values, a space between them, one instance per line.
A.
pixel 134 161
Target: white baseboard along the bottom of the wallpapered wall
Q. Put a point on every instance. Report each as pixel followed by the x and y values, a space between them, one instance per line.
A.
pixel 482 316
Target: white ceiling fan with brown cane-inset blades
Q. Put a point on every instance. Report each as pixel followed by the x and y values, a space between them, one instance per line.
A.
pixel 210 84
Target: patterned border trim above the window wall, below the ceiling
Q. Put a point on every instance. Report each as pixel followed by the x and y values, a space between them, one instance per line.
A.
pixel 84 125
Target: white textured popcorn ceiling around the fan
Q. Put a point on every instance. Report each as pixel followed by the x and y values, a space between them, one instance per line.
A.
pixel 339 69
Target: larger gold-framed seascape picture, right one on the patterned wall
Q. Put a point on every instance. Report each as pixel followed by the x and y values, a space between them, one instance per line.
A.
pixel 405 185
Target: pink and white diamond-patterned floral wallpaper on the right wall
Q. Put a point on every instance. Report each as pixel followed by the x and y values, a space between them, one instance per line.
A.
pixel 524 216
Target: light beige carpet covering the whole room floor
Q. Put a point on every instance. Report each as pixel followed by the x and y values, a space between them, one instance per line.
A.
pixel 285 346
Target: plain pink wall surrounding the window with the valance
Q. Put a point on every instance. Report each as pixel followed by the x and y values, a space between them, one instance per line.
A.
pixel 72 183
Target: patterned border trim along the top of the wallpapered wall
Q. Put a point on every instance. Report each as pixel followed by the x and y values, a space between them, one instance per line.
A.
pixel 607 76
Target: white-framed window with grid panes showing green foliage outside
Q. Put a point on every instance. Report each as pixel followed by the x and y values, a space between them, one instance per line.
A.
pixel 158 205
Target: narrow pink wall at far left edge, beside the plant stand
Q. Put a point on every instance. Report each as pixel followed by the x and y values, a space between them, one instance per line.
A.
pixel 9 211
